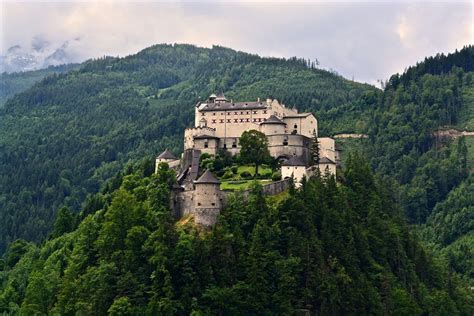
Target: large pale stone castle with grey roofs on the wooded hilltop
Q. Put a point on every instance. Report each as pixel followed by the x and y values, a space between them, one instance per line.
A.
pixel 218 125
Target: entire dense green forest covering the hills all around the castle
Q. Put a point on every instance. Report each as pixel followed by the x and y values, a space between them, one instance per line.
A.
pixel 399 241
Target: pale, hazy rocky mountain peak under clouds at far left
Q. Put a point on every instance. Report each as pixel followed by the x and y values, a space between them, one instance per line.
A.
pixel 38 55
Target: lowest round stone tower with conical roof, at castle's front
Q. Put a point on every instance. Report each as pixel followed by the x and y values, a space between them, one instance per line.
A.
pixel 207 199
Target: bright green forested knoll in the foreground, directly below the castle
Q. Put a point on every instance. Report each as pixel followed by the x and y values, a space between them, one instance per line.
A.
pixel 325 248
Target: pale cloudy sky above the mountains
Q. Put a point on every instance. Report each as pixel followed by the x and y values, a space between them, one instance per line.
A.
pixel 365 41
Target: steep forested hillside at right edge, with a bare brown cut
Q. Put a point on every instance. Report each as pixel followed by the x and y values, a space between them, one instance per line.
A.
pixel 432 176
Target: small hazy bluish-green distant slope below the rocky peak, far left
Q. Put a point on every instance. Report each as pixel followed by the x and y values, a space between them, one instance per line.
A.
pixel 13 83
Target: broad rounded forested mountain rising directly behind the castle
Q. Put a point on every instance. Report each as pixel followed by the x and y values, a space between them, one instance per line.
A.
pixel 63 137
